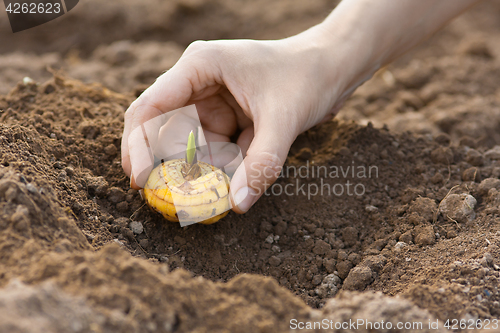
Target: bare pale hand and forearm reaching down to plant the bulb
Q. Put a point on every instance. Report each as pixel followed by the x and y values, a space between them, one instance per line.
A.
pixel 271 91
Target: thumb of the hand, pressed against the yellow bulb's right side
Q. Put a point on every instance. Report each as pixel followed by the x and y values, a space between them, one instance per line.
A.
pixel 261 166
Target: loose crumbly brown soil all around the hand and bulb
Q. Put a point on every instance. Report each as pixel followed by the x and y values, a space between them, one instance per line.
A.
pixel 80 252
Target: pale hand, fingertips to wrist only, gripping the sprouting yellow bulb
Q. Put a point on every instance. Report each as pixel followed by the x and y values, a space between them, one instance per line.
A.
pixel 267 91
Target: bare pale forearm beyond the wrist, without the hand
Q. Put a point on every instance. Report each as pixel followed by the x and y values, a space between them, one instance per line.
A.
pixel 367 34
